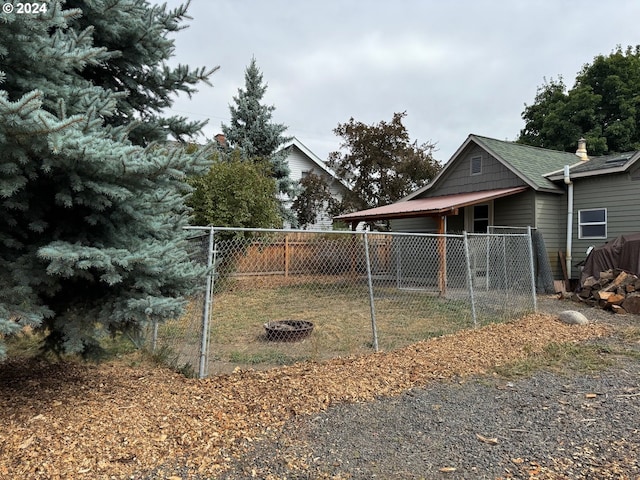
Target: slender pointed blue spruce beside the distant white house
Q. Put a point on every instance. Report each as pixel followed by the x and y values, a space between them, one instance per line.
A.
pixel 252 131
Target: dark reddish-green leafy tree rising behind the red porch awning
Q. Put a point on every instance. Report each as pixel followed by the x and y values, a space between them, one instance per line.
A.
pixel 380 163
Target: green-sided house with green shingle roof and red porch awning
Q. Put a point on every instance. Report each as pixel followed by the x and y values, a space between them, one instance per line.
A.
pixel 489 182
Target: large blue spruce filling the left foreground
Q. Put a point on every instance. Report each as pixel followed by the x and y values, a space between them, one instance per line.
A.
pixel 91 237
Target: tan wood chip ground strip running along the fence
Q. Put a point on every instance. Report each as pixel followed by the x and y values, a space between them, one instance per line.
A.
pixel 119 420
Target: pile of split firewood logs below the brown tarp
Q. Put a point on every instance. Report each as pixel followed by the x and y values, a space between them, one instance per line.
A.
pixel 615 290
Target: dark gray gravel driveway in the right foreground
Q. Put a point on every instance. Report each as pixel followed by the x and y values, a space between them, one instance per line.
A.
pixel 547 426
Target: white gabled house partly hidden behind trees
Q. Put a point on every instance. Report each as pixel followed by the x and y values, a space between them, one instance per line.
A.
pixel 302 162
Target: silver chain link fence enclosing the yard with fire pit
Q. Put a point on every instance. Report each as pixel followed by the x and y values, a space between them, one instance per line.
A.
pixel 277 297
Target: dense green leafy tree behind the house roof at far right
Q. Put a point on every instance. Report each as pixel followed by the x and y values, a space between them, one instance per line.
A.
pixel 603 106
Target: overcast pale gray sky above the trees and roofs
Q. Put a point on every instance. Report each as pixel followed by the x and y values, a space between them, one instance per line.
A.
pixel 456 67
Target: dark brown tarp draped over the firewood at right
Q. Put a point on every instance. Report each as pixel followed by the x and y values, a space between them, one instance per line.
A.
pixel 622 253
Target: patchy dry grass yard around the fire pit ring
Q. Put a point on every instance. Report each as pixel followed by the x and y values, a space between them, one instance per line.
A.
pixel 341 314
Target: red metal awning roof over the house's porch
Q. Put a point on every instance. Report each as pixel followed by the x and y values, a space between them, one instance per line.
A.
pixel 428 207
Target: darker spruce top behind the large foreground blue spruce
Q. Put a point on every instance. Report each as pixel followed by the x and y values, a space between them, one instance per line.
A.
pixel 135 35
